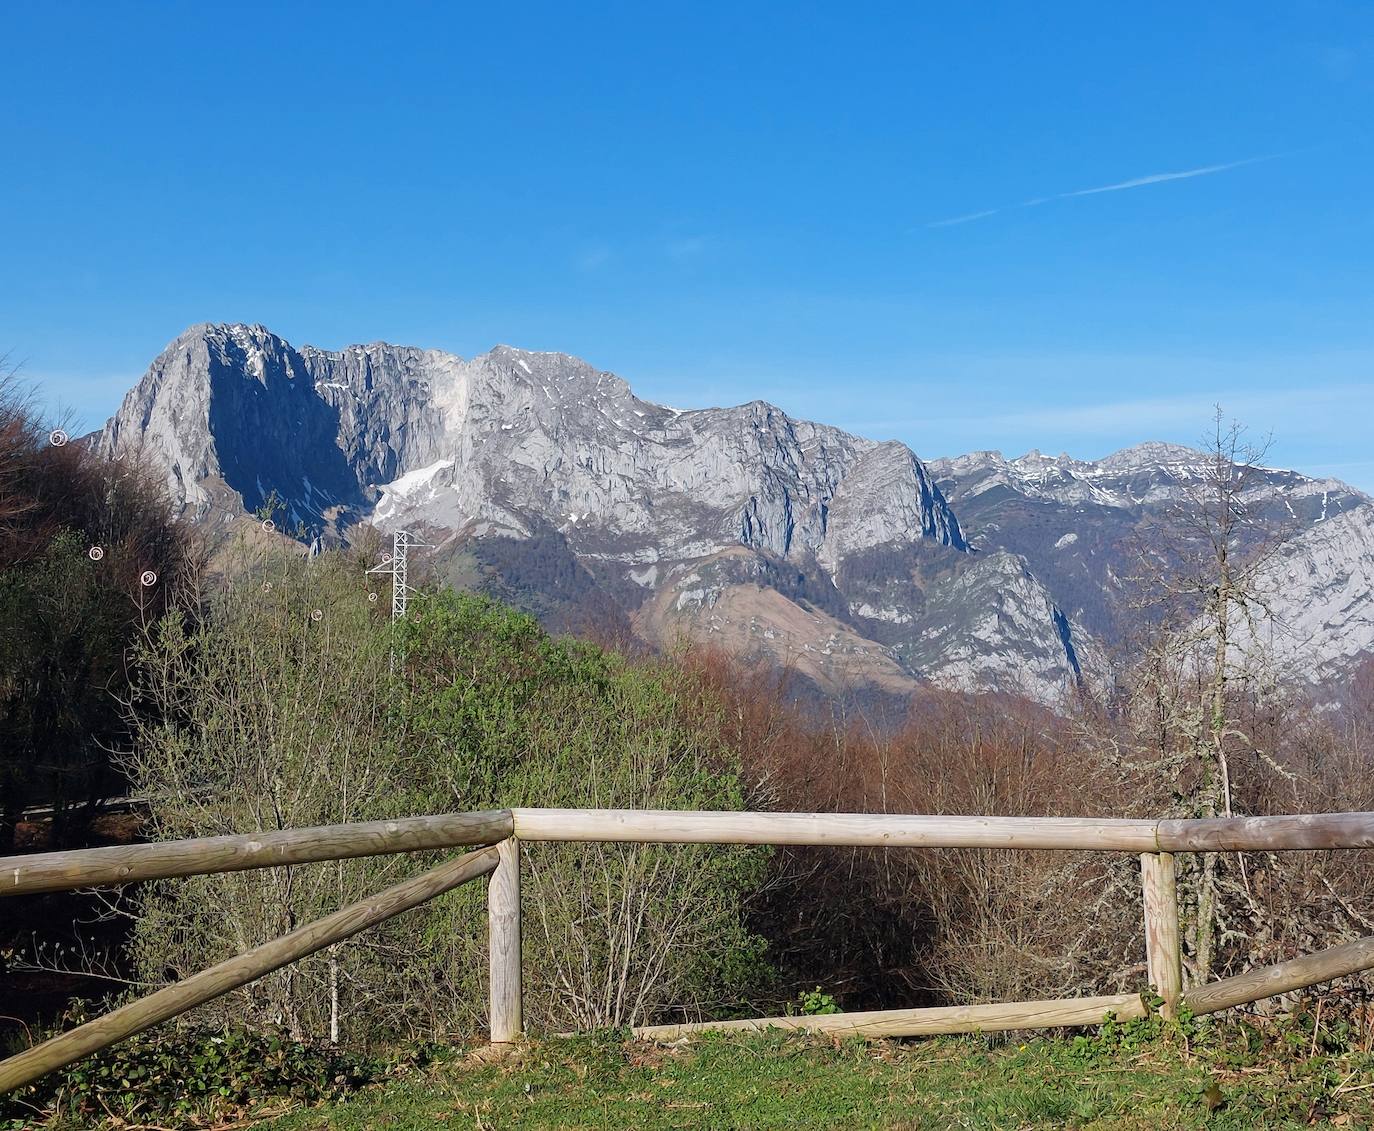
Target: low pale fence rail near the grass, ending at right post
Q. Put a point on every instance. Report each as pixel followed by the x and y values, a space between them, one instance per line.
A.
pixel 930 1022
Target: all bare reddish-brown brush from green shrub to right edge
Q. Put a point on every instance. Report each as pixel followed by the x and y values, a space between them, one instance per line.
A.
pixel 910 927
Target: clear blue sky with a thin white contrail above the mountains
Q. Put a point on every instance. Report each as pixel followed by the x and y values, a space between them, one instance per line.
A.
pixel 725 203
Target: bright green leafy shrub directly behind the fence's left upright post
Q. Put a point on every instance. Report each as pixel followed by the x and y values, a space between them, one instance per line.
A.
pixel 613 934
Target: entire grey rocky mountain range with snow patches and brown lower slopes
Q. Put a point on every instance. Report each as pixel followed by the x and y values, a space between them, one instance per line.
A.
pixel 550 483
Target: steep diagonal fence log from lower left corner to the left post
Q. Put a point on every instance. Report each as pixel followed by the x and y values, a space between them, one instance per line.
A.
pixel 240 971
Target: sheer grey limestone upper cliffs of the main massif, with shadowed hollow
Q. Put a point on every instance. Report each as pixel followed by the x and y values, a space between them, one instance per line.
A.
pixel 512 440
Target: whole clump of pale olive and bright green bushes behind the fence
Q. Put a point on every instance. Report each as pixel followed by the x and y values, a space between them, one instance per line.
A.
pixel 293 703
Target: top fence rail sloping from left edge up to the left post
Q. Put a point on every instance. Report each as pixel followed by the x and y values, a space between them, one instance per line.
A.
pixel 93 868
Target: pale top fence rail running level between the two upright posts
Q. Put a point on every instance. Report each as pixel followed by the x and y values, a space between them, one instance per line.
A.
pixel 695 827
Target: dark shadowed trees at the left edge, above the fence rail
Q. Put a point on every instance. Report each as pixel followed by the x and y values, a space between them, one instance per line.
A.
pixel 89 557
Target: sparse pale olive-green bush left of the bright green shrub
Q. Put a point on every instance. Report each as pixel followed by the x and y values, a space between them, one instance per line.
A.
pixel 258 715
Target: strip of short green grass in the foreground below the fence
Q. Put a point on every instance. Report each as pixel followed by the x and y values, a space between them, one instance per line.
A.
pixel 777 1081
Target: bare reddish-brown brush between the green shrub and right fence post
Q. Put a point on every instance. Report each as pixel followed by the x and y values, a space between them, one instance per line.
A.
pixel 887 928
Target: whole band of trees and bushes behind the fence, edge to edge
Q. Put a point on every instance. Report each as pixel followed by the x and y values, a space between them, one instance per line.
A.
pixel 271 691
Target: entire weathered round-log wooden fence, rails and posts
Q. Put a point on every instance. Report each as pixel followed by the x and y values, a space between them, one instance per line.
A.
pixel 497 836
